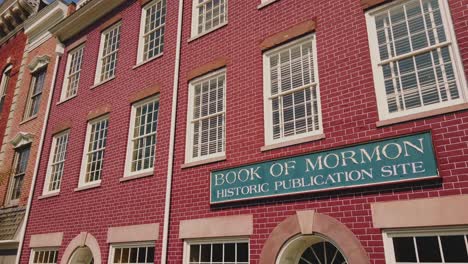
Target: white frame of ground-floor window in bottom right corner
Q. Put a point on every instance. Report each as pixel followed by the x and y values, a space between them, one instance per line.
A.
pixel 388 236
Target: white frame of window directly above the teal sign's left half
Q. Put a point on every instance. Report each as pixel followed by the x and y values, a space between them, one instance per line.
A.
pixel 268 111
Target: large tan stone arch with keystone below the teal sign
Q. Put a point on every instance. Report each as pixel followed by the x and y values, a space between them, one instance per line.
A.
pixel 309 223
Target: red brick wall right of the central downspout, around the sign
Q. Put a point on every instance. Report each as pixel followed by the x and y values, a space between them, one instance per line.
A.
pixel 349 116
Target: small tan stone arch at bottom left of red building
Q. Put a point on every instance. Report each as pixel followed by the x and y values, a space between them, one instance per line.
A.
pixel 82 240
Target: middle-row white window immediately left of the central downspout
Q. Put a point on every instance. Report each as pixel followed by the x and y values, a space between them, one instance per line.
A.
pixel 142 136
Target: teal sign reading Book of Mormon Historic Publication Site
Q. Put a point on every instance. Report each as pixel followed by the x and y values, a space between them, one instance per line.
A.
pixel 396 160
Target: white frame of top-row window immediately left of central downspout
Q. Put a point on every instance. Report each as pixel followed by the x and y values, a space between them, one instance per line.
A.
pixel 141 42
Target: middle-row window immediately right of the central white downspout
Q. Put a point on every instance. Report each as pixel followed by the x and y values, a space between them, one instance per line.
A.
pixel 206 117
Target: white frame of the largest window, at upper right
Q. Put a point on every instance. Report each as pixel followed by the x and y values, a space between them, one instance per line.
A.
pixel 451 43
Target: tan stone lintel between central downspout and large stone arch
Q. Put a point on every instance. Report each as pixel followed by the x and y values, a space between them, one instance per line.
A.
pixel 225 226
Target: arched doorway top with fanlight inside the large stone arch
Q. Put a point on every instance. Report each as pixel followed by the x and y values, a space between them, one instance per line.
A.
pixel 311 249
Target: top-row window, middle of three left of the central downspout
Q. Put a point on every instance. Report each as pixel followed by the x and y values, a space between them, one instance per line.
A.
pixel 107 62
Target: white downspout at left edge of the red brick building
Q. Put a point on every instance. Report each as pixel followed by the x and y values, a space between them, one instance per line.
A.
pixel 59 51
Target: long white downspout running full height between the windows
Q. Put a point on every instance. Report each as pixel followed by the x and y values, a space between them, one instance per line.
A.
pixel 170 161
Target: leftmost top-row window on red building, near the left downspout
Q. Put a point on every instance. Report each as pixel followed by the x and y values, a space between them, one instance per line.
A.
pixel 73 70
